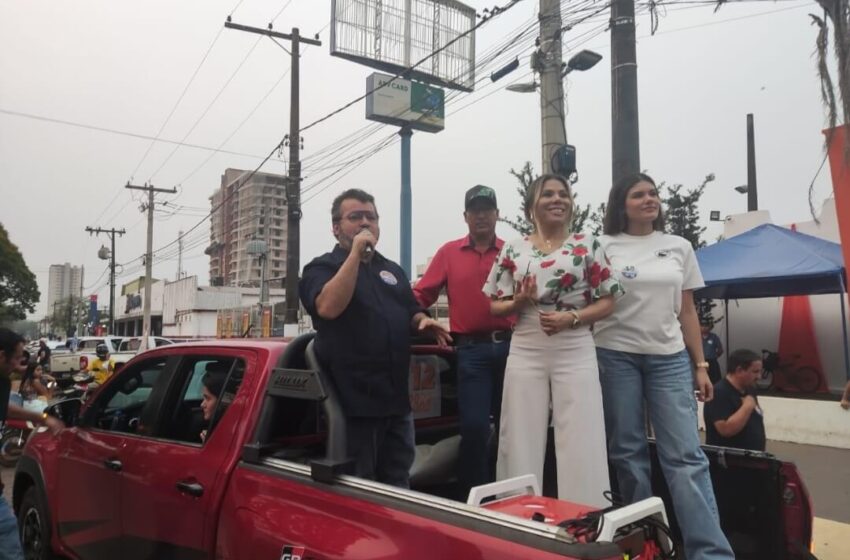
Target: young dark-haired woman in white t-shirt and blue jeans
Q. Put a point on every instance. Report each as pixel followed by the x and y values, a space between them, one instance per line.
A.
pixel 650 351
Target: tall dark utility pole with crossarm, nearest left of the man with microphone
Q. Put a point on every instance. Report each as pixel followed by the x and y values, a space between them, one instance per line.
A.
pixel 293 183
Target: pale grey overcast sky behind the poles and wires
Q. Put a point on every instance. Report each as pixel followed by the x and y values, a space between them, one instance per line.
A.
pixel 123 65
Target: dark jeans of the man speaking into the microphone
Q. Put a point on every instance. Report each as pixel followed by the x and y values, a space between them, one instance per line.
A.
pixel 382 448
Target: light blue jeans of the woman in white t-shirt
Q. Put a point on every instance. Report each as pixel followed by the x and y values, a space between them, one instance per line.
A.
pixel 666 384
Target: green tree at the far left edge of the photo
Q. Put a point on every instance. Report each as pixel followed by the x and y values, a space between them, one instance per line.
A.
pixel 18 288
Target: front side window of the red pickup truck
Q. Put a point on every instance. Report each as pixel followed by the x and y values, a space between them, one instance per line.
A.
pixel 121 407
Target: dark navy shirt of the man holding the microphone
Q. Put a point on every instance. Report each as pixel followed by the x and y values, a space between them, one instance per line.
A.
pixel 366 349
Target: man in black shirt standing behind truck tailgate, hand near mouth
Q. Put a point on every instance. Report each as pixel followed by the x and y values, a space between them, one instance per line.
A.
pixel 734 418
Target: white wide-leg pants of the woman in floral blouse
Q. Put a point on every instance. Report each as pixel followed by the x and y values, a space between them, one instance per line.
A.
pixel 561 368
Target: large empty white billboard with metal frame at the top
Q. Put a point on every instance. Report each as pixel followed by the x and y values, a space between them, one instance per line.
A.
pixel 437 36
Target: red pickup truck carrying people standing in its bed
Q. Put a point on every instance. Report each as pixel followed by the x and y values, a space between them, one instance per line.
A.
pixel 131 478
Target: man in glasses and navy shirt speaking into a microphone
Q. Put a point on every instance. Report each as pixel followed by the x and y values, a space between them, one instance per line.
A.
pixel 364 312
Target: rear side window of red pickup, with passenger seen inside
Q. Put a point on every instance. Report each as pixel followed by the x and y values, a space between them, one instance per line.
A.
pixel 184 417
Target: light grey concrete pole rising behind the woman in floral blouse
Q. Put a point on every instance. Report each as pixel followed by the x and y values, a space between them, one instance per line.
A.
pixel 548 63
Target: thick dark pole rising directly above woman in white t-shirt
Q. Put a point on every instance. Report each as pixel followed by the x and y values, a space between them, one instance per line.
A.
pixel 625 135
